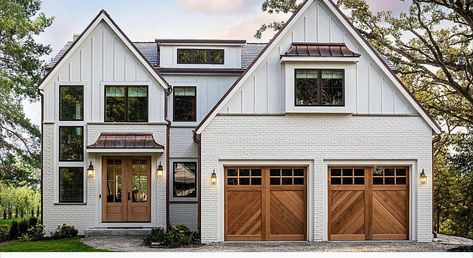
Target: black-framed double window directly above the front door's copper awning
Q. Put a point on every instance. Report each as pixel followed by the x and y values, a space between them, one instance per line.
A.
pixel 126 104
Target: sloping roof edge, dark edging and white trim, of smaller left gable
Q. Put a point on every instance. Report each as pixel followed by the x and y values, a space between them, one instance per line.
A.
pixel 105 17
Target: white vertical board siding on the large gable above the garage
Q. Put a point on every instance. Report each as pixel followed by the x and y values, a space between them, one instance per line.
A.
pixel 263 93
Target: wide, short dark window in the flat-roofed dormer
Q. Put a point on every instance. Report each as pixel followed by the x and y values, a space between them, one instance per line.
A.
pixel 200 56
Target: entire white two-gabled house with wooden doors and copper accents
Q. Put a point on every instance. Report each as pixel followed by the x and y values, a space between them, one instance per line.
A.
pixel 310 137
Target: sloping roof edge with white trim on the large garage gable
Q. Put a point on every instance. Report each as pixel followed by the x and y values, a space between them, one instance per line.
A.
pixel 354 32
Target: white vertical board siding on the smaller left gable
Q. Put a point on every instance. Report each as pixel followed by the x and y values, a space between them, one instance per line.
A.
pixel 102 59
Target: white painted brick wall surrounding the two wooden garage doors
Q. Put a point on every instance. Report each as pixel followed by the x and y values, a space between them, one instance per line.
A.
pixel 319 140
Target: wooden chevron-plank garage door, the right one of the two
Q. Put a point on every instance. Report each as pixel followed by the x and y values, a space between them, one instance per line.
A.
pixel 367 203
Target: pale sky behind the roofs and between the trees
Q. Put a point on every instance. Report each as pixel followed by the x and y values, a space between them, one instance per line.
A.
pixel 146 20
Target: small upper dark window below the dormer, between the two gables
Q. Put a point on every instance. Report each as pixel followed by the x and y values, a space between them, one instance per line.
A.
pixel 184 104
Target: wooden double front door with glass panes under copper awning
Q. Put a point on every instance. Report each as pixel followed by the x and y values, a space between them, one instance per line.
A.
pixel 126 189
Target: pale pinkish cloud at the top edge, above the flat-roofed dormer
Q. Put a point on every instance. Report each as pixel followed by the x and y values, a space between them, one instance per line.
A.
pixel 219 6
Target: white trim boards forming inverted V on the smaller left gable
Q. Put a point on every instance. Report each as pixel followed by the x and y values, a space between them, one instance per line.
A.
pixel 103 17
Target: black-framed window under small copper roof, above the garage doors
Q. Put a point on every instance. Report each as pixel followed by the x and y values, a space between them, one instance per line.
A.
pixel 319 87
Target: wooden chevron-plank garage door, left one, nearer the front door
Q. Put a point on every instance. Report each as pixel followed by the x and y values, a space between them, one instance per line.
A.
pixel 265 204
